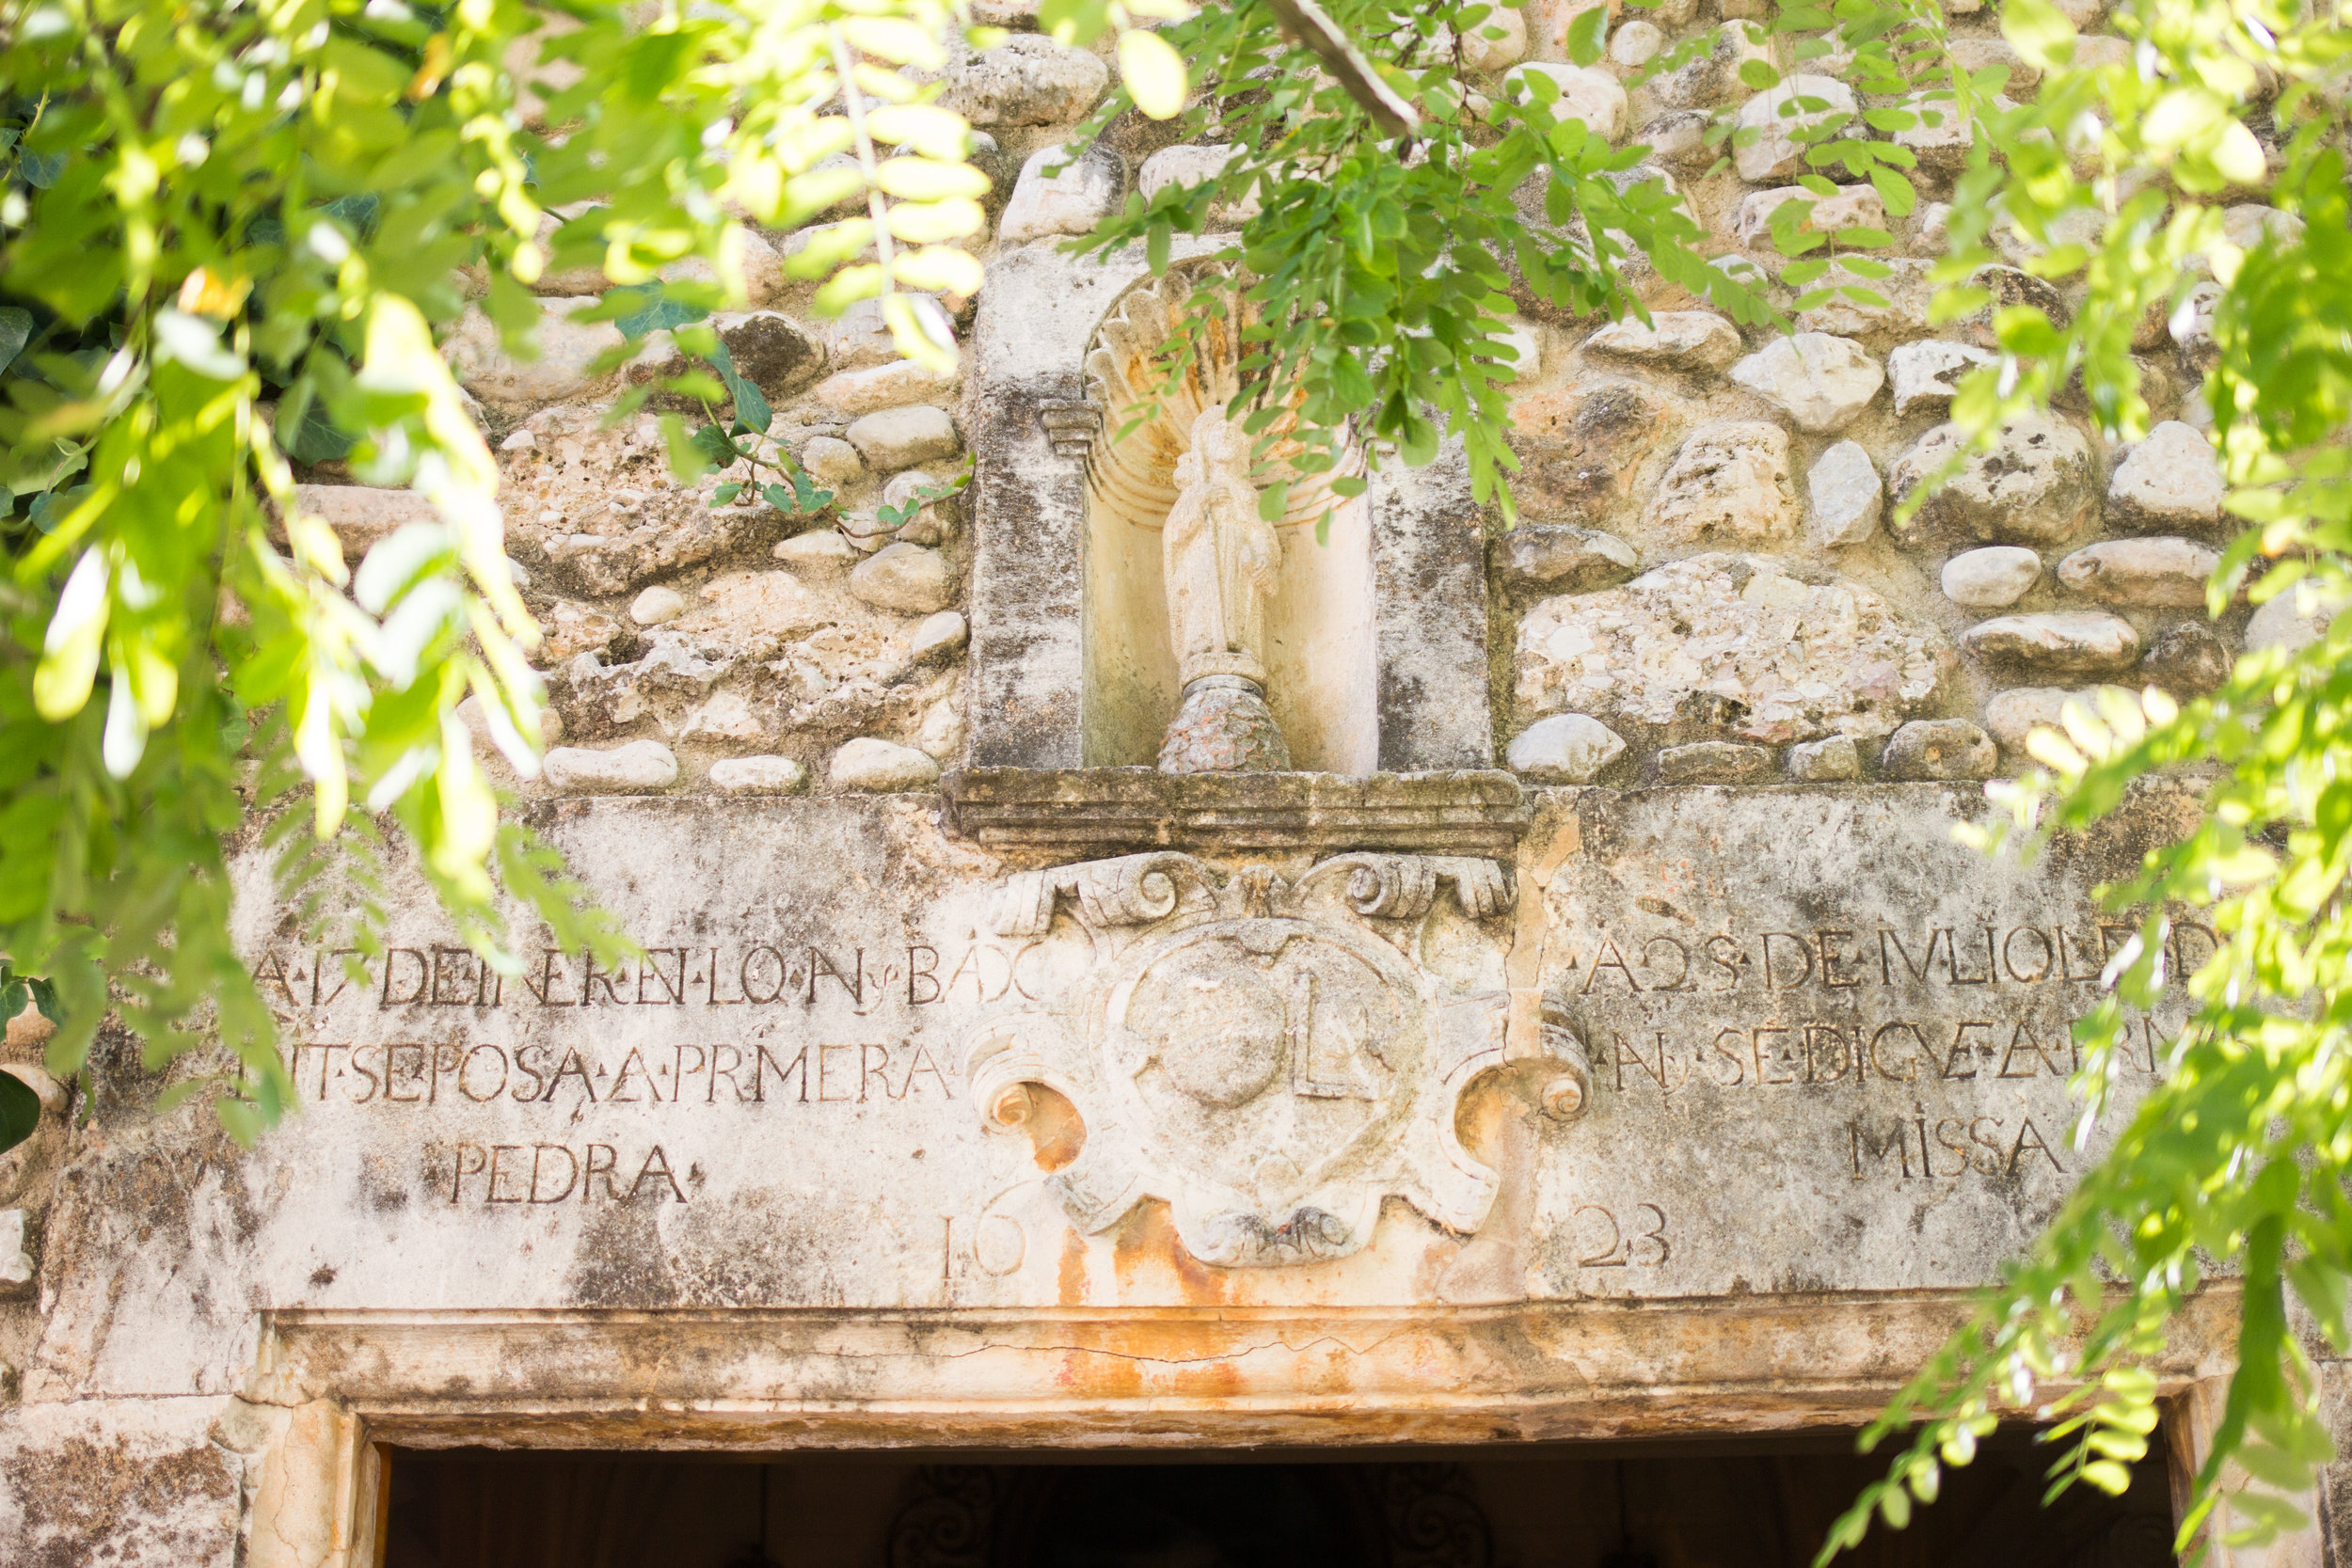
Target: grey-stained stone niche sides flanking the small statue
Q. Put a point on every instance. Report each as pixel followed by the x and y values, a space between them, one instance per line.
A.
pixel 1377 634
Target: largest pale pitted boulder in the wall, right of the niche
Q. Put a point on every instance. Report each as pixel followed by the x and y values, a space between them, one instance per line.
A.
pixel 1793 659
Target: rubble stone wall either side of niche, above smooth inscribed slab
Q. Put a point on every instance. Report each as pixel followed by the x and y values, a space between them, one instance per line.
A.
pixel 1702 589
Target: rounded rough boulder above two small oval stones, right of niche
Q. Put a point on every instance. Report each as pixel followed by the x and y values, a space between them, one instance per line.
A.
pixel 2031 488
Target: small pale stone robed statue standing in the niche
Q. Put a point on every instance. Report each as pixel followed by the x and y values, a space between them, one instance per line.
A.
pixel 1222 563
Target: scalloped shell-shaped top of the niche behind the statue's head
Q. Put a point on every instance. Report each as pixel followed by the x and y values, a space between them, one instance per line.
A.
pixel 1128 380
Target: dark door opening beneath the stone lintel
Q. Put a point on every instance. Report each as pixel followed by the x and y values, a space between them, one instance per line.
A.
pixel 1758 1503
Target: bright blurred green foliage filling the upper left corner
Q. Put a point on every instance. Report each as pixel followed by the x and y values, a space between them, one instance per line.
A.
pixel 229 234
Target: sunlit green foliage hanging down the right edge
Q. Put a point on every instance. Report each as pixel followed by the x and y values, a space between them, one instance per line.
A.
pixel 2113 185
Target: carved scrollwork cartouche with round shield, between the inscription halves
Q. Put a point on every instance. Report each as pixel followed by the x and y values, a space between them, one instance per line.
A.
pixel 1262 1054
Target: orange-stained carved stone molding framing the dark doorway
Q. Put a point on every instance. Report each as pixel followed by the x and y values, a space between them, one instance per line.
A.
pixel 333 1388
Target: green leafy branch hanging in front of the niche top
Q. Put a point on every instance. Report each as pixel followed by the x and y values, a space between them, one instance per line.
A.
pixel 1382 264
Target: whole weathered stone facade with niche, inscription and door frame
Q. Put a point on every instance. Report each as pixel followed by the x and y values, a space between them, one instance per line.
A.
pixel 1617 1045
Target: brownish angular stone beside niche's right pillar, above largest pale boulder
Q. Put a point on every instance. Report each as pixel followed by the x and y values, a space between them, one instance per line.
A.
pixel 1584 445
